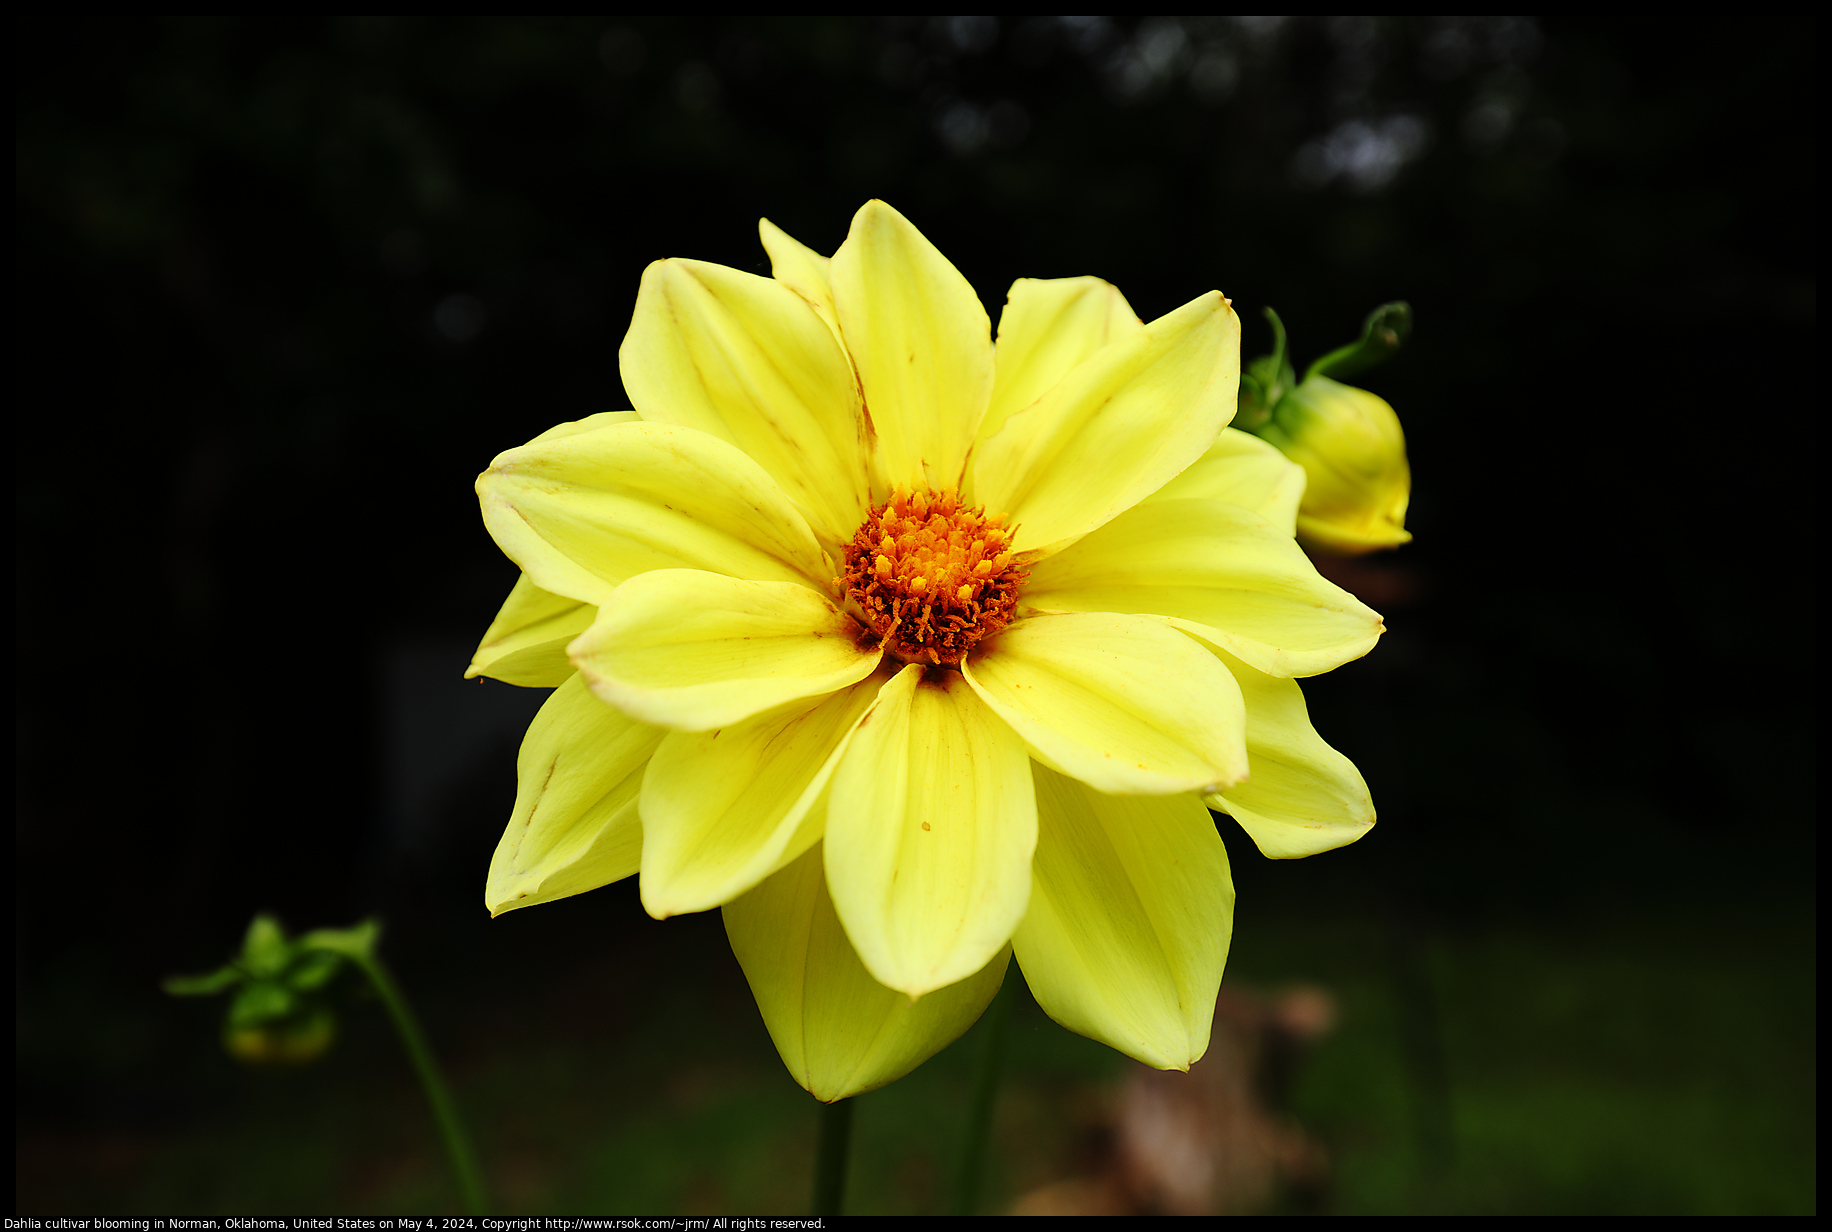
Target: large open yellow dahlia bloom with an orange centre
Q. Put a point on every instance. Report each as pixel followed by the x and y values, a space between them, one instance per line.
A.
pixel 913 650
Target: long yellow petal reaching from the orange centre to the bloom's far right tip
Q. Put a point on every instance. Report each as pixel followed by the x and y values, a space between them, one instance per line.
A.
pixel 1221 573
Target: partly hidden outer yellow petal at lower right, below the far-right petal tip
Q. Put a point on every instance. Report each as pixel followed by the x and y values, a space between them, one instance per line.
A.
pixel 1303 797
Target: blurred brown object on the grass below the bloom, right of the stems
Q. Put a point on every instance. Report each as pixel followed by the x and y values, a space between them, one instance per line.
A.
pixel 1216 1141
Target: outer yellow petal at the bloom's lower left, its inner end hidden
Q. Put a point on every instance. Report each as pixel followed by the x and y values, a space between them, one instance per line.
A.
pixel 574 824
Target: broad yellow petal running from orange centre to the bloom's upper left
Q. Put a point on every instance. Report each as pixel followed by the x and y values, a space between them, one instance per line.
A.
pixel 743 358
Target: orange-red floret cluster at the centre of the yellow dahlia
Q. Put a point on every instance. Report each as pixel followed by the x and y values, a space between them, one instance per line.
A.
pixel 933 578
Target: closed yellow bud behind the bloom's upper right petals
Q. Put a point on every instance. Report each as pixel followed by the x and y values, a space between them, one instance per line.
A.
pixel 1353 454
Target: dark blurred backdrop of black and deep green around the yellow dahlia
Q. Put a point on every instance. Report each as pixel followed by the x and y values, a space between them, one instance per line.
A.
pixel 285 289
